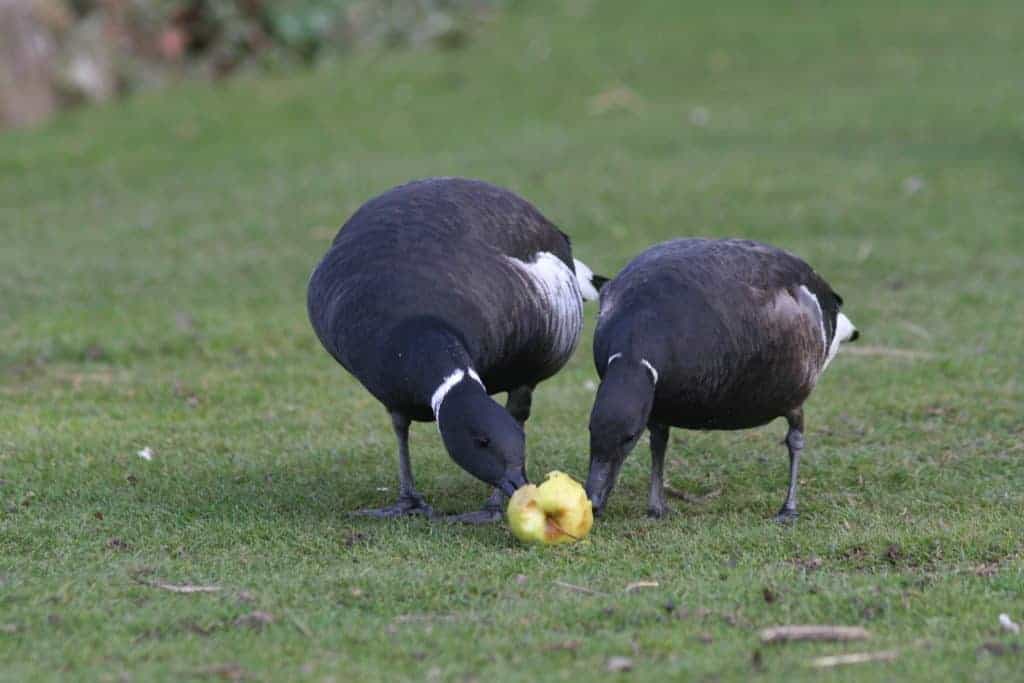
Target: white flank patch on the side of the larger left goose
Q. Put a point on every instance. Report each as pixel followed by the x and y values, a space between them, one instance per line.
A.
pixel 561 297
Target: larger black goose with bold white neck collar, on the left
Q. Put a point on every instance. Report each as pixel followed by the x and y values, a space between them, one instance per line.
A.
pixel 436 295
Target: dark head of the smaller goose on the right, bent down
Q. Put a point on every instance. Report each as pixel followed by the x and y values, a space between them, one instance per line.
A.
pixel 617 422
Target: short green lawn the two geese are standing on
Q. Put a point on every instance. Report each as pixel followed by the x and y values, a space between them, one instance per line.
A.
pixel 154 257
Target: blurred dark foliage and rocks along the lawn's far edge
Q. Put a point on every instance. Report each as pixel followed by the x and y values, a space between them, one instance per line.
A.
pixel 60 53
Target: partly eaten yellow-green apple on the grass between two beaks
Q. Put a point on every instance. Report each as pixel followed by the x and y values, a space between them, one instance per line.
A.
pixel 558 511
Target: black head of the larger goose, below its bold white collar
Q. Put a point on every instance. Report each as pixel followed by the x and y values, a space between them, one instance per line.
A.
pixel 483 438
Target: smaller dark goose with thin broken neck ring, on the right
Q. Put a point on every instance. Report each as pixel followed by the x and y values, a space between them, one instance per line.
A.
pixel 709 335
